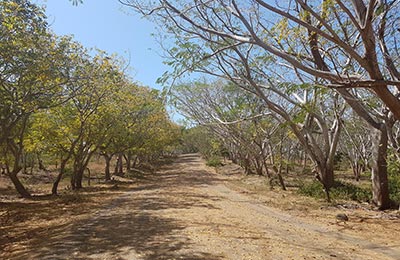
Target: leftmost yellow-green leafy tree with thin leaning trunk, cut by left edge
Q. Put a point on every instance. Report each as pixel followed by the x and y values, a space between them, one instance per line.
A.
pixel 34 74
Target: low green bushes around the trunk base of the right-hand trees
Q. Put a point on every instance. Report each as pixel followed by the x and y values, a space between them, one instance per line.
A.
pixel 341 190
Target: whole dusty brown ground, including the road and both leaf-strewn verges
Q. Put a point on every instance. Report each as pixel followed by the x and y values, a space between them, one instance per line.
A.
pixel 187 211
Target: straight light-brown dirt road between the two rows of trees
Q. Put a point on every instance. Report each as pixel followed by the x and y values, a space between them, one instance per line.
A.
pixel 188 212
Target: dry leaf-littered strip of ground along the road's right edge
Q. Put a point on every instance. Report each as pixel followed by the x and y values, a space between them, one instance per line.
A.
pixel 364 218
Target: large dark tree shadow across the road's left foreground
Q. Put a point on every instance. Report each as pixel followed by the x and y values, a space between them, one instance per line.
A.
pixel 118 232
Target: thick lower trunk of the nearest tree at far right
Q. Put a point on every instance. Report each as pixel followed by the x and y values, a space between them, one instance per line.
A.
pixel 380 186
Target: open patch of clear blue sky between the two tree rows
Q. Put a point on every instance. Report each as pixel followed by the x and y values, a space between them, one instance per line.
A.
pixel 111 27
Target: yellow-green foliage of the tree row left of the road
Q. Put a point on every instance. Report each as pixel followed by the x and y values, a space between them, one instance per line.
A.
pixel 62 103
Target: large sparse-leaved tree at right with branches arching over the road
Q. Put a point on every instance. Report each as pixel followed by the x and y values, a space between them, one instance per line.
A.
pixel 343 45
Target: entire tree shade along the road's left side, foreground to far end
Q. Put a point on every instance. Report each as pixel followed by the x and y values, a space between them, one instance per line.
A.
pixel 132 227
